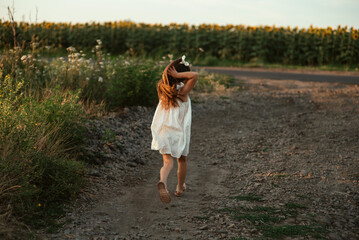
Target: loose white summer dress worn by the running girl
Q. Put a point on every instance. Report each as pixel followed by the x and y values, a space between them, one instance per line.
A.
pixel 171 129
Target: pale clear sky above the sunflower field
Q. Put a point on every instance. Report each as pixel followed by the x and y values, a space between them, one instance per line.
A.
pixel 301 13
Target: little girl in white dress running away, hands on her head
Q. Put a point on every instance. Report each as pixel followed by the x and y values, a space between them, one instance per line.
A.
pixel 171 125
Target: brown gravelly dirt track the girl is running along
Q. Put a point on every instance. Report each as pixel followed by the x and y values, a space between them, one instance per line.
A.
pixel 277 160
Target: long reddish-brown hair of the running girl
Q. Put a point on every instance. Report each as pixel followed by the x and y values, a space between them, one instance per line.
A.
pixel 166 87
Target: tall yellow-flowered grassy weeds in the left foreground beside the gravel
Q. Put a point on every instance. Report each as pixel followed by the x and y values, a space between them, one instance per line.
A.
pixel 37 139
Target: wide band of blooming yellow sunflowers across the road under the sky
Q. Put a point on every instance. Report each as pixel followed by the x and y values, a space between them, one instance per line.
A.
pixel 270 44
